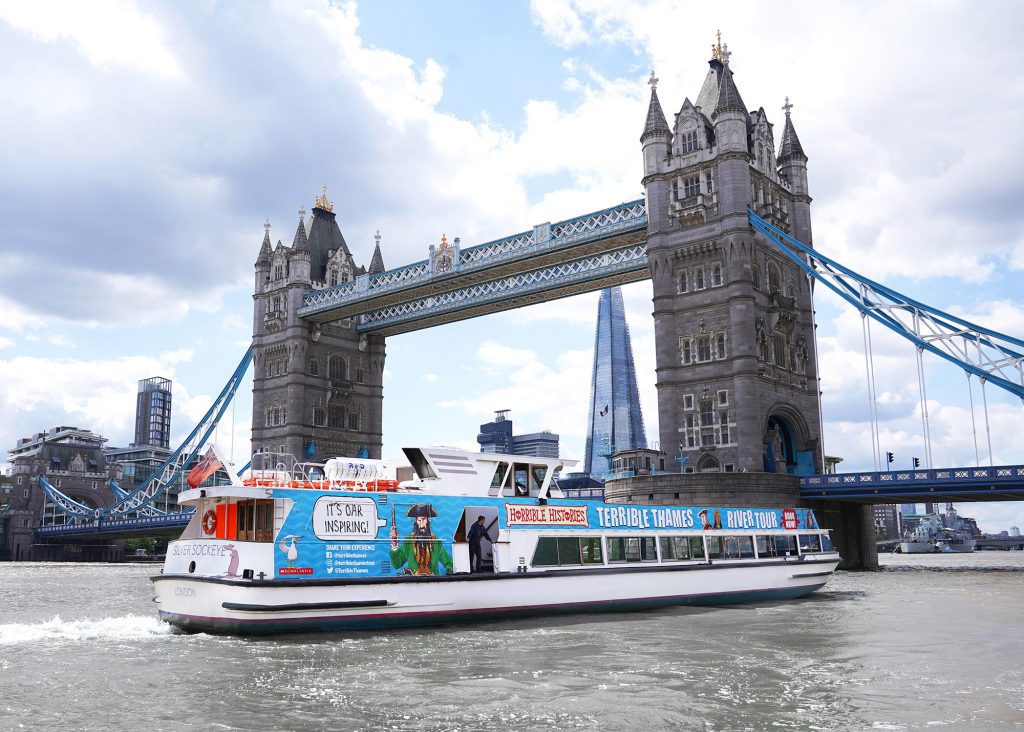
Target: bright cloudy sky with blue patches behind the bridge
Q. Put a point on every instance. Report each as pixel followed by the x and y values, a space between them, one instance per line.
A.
pixel 144 145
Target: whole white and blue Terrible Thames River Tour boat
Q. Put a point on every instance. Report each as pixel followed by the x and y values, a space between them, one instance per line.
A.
pixel 345 546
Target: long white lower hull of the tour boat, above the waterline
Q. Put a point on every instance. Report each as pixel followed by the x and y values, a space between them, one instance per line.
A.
pixel 252 608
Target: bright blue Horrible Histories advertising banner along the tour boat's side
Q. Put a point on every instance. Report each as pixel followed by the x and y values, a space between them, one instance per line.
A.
pixel 330 535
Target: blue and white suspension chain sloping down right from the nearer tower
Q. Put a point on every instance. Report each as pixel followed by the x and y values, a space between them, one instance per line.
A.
pixel 987 354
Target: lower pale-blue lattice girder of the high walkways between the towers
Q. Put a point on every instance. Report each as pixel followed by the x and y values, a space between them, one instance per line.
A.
pixel 594 268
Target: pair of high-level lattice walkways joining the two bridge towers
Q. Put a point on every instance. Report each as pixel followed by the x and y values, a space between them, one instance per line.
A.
pixel 554 261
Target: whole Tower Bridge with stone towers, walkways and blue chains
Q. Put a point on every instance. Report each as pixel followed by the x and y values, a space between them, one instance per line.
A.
pixel 723 233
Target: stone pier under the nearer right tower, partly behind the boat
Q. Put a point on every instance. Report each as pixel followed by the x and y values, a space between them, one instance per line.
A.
pixel 852 526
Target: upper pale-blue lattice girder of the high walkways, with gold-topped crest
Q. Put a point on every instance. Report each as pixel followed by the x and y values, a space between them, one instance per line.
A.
pixel 628 218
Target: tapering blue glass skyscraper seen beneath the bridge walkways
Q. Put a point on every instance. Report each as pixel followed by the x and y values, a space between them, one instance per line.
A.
pixel 616 419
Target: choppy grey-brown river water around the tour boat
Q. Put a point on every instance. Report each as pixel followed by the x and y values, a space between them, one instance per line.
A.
pixel 927 642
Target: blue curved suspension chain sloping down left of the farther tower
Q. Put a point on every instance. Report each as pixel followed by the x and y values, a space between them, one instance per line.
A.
pixel 141 500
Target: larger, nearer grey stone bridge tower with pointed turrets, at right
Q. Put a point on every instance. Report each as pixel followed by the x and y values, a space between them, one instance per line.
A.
pixel 737 372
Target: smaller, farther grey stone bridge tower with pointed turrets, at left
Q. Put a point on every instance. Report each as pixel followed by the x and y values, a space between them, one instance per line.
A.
pixel 317 387
